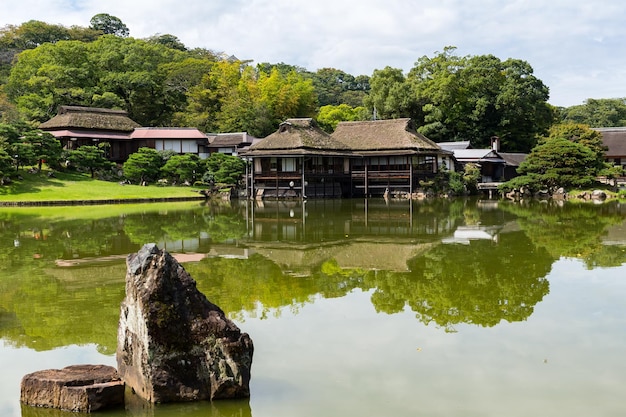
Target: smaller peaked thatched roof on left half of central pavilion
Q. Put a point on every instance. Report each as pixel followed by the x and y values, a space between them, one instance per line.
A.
pixel 297 137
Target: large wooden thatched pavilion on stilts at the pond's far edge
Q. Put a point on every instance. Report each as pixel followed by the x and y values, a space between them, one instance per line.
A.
pixel 358 159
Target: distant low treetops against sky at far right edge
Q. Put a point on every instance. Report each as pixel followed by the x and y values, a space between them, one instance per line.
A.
pixel 598 113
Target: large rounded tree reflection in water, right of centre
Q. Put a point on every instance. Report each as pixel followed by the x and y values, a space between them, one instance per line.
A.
pixel 480 283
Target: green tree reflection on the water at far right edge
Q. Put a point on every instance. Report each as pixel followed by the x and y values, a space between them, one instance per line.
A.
pixel 571 230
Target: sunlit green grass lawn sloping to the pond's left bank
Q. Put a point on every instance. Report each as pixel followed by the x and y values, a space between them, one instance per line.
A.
pixel 75 186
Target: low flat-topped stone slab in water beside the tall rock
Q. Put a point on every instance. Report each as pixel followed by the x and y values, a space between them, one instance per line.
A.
pixel 81 388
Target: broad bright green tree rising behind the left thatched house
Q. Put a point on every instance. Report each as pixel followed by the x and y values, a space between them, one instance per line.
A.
pixel 109 72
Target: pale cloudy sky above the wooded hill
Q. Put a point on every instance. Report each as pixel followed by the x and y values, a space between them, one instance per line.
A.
pixel 576 47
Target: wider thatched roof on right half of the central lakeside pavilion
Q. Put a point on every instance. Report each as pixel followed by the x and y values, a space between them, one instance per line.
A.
pixel 382 136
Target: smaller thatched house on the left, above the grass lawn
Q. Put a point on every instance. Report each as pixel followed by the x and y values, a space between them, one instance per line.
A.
pixel 76 126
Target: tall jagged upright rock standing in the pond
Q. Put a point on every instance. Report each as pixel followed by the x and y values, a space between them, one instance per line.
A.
pixel 173 344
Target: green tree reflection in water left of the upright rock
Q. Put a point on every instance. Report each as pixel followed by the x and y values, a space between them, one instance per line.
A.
pixel 64 306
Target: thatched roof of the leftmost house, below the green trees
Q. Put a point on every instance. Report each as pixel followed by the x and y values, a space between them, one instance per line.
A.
pixel 90 118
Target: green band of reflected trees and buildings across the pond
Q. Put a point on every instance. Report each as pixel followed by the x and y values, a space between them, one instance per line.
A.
pixel 450 262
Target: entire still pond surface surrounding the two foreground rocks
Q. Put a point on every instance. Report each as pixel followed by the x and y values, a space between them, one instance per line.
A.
pixel 355 307
